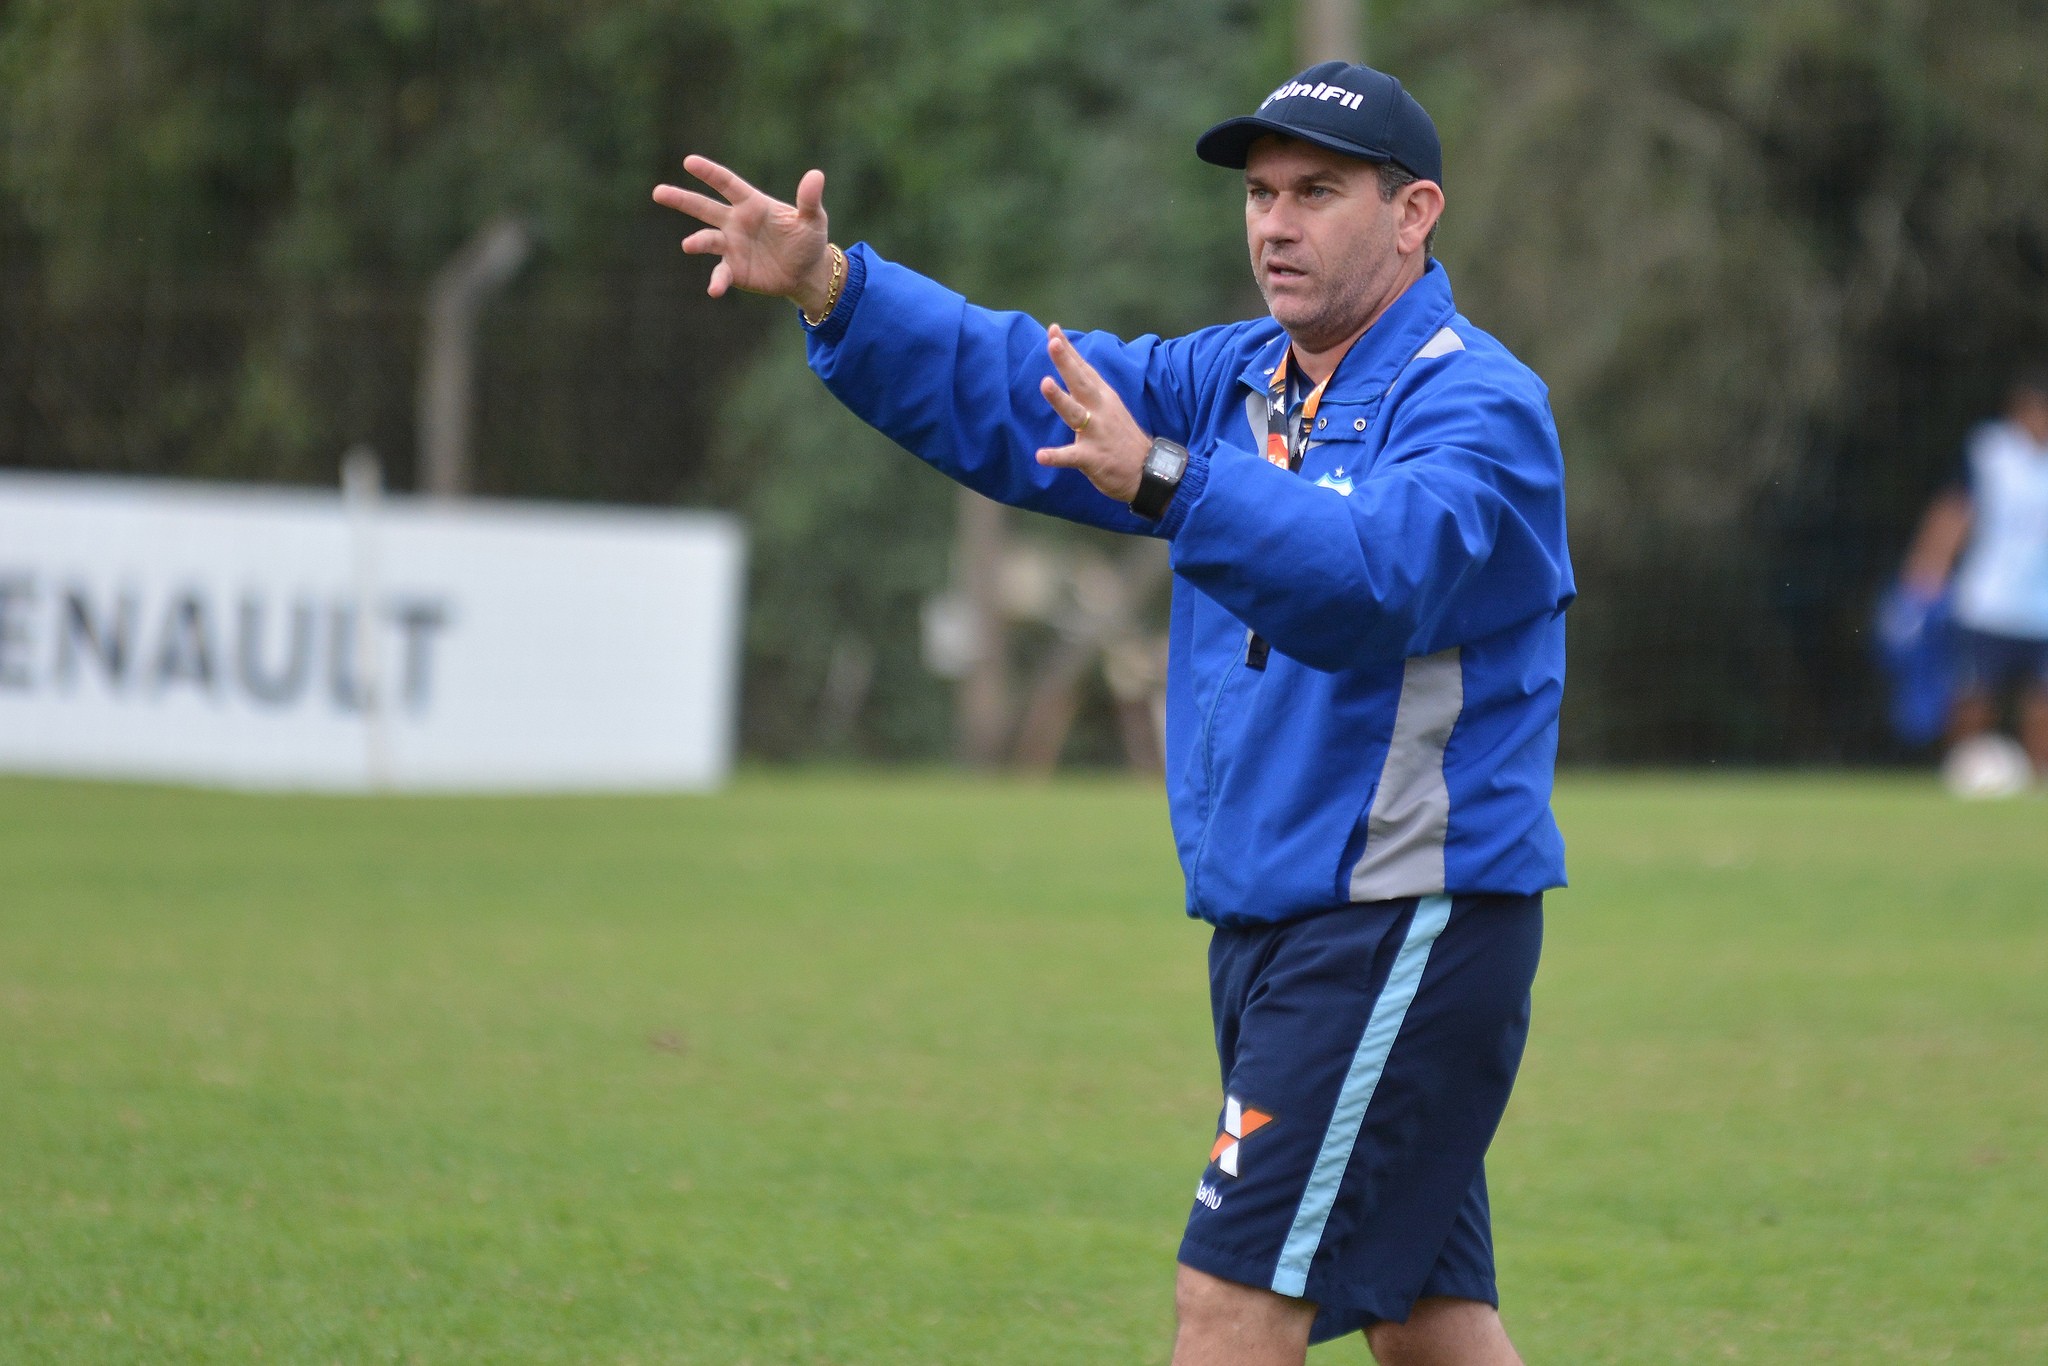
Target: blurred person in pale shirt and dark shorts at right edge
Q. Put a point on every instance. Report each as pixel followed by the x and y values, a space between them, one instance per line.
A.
pixel 1990 531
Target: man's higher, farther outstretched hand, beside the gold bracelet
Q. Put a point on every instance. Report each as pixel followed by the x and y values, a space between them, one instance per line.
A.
pixel 765 247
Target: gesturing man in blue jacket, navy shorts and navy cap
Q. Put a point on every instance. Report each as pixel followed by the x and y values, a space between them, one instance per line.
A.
pixel 1365 505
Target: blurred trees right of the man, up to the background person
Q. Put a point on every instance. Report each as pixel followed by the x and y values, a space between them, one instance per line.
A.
pixel 1773 259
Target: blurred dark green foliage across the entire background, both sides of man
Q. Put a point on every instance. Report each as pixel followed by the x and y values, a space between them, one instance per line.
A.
pixel 1773 259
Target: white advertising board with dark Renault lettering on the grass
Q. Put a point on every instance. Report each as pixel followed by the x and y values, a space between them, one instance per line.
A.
pixel 212 634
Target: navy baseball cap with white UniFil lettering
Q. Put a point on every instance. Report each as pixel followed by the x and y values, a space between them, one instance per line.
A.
pixel 1345 108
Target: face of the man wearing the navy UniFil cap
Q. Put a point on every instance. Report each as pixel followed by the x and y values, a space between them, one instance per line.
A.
pixel 1326 249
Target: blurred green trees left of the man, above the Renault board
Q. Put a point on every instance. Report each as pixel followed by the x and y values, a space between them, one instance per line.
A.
pixel 267 189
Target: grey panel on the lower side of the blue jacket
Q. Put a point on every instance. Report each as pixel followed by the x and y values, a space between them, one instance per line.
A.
pixel 1410 816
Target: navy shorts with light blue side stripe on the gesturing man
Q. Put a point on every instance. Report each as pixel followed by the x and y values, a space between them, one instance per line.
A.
pixel 1367 1060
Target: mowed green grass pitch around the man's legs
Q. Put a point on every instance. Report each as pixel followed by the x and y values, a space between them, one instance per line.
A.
pixel 919 1070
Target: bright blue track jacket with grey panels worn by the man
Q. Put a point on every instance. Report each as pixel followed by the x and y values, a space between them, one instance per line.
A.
pixel 1412 579
